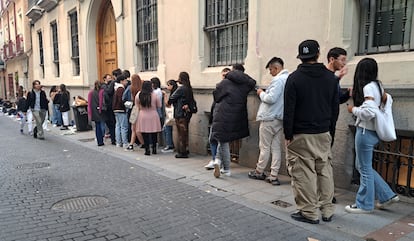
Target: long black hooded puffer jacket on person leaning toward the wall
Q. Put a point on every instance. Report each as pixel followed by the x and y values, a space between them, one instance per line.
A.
pixel 230 112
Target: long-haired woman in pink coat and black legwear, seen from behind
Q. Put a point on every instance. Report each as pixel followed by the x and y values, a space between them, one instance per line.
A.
pixel 148 120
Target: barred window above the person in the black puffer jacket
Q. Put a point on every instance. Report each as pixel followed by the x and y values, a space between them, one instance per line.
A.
pixel 226 29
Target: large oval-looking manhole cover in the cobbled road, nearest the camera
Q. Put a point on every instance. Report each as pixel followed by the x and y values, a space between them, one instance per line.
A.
pixel 79 204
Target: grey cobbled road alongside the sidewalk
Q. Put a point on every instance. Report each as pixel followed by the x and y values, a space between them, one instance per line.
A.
pixel 107 198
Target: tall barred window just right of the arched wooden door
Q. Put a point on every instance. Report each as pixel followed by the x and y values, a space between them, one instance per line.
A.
pixel 148 33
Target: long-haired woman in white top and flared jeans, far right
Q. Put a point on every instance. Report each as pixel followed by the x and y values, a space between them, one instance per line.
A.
pixel 367 88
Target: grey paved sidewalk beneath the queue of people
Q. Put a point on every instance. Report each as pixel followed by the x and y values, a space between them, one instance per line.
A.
pixel 397 223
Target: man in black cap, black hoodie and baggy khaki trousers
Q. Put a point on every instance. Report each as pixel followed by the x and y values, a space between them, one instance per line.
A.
pixel 310 113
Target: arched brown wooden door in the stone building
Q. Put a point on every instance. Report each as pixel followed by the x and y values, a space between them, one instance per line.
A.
pixel 106 40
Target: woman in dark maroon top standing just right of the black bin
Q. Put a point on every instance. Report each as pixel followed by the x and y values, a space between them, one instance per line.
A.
pixel 96 112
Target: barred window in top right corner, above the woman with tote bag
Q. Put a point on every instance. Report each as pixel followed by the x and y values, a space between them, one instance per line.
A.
pixel 386 26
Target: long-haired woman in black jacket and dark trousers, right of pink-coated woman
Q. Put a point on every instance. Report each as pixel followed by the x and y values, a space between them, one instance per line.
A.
pixel 180 99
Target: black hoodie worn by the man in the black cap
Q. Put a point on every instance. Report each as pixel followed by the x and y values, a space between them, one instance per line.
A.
pixel 311 101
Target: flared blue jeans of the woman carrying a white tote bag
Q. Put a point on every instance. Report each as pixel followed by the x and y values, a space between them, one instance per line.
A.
pixel 372 186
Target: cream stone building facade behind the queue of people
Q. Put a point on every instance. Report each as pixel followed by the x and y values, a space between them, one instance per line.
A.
pixel 77 41
